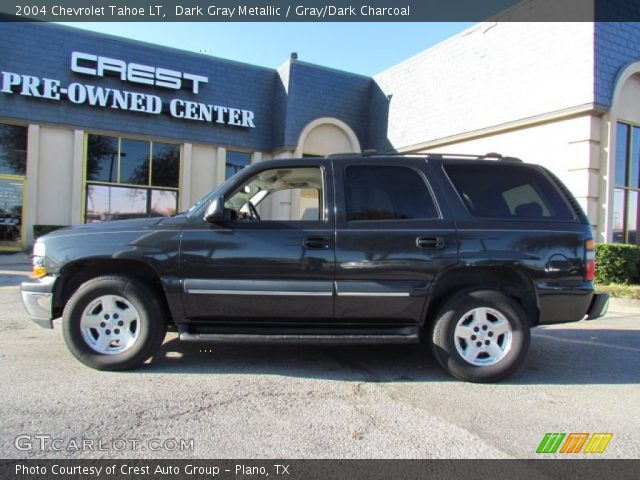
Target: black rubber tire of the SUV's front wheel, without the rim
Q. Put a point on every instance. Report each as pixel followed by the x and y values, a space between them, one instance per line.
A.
pixel 150 315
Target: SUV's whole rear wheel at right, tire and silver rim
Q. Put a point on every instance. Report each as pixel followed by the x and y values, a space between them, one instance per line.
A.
pixel 480 336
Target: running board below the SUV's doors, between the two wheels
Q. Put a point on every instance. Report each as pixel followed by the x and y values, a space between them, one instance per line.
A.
pixel 296 338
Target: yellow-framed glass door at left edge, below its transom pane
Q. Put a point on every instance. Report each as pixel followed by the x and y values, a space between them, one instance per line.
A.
pixel 11 213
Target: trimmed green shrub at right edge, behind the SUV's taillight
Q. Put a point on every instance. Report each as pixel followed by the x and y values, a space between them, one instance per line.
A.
pixel 617 263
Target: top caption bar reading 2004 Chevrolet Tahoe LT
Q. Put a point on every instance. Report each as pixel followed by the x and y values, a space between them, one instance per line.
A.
pixel 319 10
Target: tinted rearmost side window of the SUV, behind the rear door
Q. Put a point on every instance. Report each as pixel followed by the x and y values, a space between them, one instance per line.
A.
pixel 507 192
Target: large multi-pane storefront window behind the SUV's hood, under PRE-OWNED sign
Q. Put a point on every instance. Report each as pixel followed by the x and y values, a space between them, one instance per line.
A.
pixel 129 178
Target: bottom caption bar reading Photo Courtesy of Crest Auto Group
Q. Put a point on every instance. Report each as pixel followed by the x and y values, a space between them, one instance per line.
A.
pixel 317 469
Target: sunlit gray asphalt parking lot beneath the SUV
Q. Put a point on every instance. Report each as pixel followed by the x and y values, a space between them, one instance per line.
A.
pixel 312 402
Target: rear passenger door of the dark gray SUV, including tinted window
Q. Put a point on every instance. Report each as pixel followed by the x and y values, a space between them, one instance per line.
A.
pixel 392 239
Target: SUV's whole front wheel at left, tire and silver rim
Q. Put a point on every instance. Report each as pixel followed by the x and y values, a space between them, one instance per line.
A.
pixel 113 323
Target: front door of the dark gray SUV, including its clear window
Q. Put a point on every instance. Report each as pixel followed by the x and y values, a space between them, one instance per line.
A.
pixel 279 268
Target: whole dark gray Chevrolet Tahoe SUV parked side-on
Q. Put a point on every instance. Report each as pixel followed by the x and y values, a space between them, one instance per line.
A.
pixel 467 253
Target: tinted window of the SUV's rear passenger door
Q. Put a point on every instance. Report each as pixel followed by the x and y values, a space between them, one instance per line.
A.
pixel 387 193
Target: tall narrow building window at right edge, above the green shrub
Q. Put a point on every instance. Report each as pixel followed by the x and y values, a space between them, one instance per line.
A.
pixel 627 184
